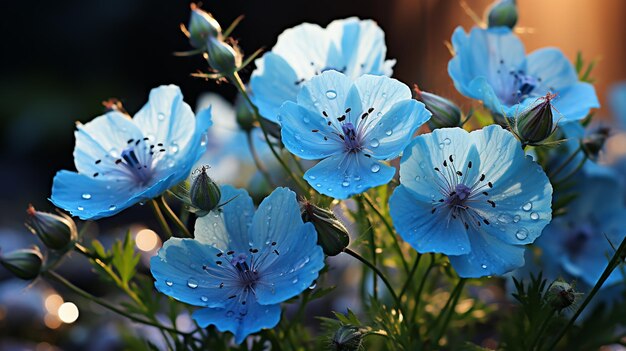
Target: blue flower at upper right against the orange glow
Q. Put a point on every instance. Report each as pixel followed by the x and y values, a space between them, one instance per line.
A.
pixel 491 65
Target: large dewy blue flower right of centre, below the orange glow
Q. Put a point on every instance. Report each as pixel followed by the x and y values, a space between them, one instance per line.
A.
pixel 472 196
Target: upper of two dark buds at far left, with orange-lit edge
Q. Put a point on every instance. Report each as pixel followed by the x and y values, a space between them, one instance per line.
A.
pixel 55 232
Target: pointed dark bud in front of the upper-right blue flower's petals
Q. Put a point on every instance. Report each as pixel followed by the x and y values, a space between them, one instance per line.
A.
pixel 535 124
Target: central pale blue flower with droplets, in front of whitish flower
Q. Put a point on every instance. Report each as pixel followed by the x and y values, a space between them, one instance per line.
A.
pixel 351 126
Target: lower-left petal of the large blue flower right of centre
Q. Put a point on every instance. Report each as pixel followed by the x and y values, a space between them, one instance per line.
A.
pixel 424 231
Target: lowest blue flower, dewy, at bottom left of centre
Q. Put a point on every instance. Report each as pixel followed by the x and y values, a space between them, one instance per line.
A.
pixel 241 264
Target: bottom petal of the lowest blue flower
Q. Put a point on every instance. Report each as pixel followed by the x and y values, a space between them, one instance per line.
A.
pixel 241 320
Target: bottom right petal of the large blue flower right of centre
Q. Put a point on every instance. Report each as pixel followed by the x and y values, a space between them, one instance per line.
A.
pixel 488 256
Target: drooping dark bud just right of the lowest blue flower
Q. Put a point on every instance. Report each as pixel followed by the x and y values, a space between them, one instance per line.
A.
pixel 332 235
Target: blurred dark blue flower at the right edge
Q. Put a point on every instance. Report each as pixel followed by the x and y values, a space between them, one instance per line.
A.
pixel 580 241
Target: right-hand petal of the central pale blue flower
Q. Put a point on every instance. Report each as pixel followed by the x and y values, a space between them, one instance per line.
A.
pixel 390 136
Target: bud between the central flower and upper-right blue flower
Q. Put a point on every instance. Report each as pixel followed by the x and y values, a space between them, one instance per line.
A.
pixel 445 113
